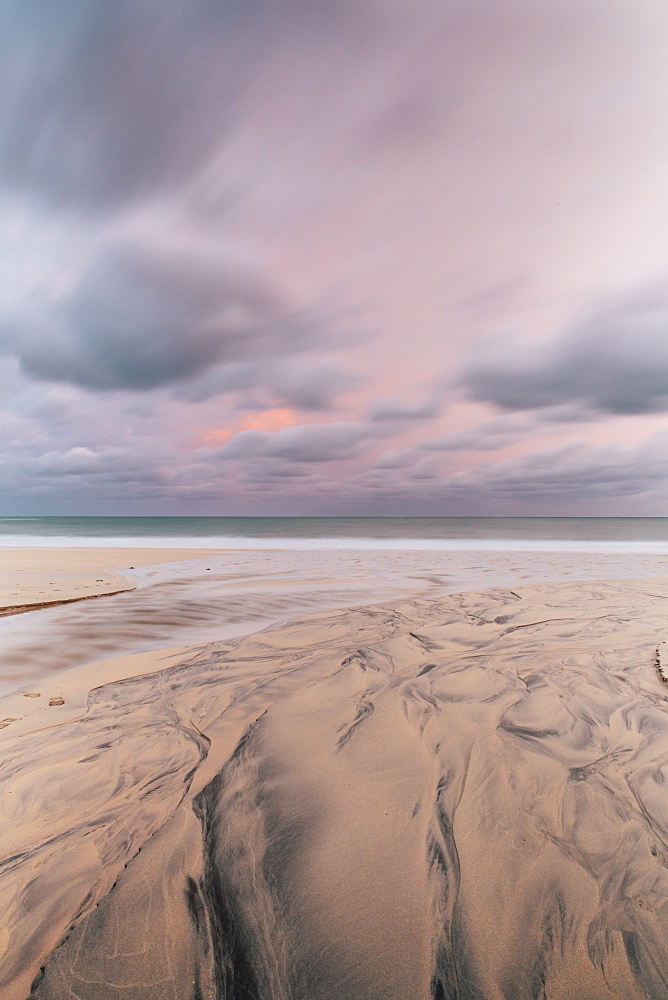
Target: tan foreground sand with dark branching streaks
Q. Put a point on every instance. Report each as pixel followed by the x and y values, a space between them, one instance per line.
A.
pixel 455 798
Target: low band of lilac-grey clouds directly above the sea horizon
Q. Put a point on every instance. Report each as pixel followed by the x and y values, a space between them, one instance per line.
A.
pixel 297 461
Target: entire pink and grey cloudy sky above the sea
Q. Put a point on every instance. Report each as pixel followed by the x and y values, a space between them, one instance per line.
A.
pixel 355 257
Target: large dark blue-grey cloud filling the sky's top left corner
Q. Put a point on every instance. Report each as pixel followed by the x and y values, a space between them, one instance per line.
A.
pixel 108 100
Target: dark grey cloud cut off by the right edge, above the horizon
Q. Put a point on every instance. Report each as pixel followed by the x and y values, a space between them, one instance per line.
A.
pixel 615 362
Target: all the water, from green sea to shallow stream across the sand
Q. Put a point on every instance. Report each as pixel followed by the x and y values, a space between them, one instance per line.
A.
pixel 257 572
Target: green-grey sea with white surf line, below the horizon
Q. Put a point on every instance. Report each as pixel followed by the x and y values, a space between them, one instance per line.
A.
pixel 554 534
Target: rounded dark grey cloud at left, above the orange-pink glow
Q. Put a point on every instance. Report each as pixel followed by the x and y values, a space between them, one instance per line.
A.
pixel 138 320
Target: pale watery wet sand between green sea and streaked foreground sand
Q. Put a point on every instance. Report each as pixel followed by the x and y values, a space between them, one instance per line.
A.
pixel 189 597
